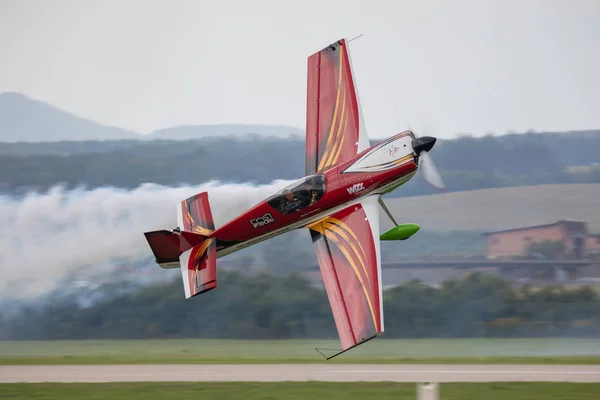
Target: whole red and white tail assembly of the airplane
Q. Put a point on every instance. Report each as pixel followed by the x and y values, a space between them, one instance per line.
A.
pixel 190 247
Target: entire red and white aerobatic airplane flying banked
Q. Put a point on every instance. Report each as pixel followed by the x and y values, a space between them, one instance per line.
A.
pixel 337 201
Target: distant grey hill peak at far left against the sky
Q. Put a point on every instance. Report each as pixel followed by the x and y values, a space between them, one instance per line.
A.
pixel 26 120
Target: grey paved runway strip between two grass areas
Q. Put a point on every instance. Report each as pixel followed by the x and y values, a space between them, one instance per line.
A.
pixel 301 372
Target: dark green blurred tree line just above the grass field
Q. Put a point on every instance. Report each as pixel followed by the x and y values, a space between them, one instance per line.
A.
pixel 253 306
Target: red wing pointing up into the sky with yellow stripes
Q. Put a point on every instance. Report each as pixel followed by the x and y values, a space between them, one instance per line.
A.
pixel 335 130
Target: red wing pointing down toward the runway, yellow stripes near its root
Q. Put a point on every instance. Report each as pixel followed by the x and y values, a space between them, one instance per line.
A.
pixel 347 245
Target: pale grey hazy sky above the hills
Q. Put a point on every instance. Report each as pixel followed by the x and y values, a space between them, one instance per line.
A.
pixel 456 66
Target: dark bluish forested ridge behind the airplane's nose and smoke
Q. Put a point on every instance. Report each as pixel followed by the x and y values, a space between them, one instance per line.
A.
pixel 466 163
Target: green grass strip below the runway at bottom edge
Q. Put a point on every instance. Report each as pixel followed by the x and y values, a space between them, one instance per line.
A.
pixel 297 391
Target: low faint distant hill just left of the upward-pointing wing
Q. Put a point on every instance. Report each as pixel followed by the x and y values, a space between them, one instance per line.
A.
pixel 236 130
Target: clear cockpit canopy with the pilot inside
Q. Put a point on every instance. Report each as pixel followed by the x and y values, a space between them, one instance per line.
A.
pixel 299 194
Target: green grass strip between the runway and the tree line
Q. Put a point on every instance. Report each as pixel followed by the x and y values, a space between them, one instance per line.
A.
pixel 183 351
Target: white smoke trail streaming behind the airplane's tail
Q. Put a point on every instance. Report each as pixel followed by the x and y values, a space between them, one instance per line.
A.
pixel 46 236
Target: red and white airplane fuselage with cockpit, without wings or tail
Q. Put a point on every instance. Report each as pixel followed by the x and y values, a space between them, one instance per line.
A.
pixel 378 169
